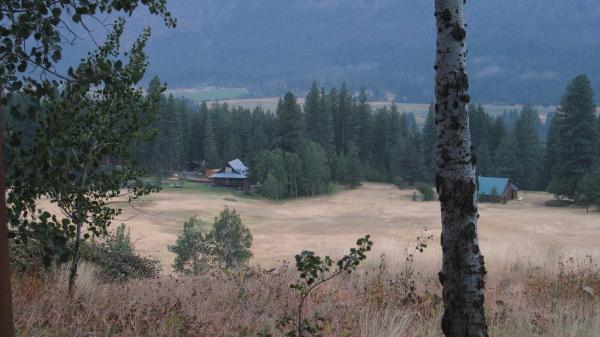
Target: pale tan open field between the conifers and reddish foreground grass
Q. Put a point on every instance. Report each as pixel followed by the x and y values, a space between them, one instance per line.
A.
pixel 516 232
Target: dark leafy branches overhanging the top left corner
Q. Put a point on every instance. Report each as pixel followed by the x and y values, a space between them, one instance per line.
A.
pixel 46 25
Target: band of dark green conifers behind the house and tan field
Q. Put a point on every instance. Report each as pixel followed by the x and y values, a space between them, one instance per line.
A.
pixel 338 136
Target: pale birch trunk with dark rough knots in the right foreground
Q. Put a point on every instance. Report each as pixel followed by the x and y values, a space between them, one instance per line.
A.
pixel 463 271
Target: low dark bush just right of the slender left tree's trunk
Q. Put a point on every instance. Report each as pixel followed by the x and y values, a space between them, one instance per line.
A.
pixel 117 259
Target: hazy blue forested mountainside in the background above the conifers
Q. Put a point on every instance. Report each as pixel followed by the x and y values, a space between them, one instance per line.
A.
pixel 520 51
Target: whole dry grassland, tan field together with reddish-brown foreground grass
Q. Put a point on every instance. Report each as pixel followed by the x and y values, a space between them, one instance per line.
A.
pixel 542 280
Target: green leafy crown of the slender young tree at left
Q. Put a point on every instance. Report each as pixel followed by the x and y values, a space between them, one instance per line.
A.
pixel 78 155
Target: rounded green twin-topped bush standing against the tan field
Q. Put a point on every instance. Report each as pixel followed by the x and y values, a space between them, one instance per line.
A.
pixel 227 245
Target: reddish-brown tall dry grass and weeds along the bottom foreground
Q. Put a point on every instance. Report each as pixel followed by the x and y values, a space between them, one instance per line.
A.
pixel 522 299
